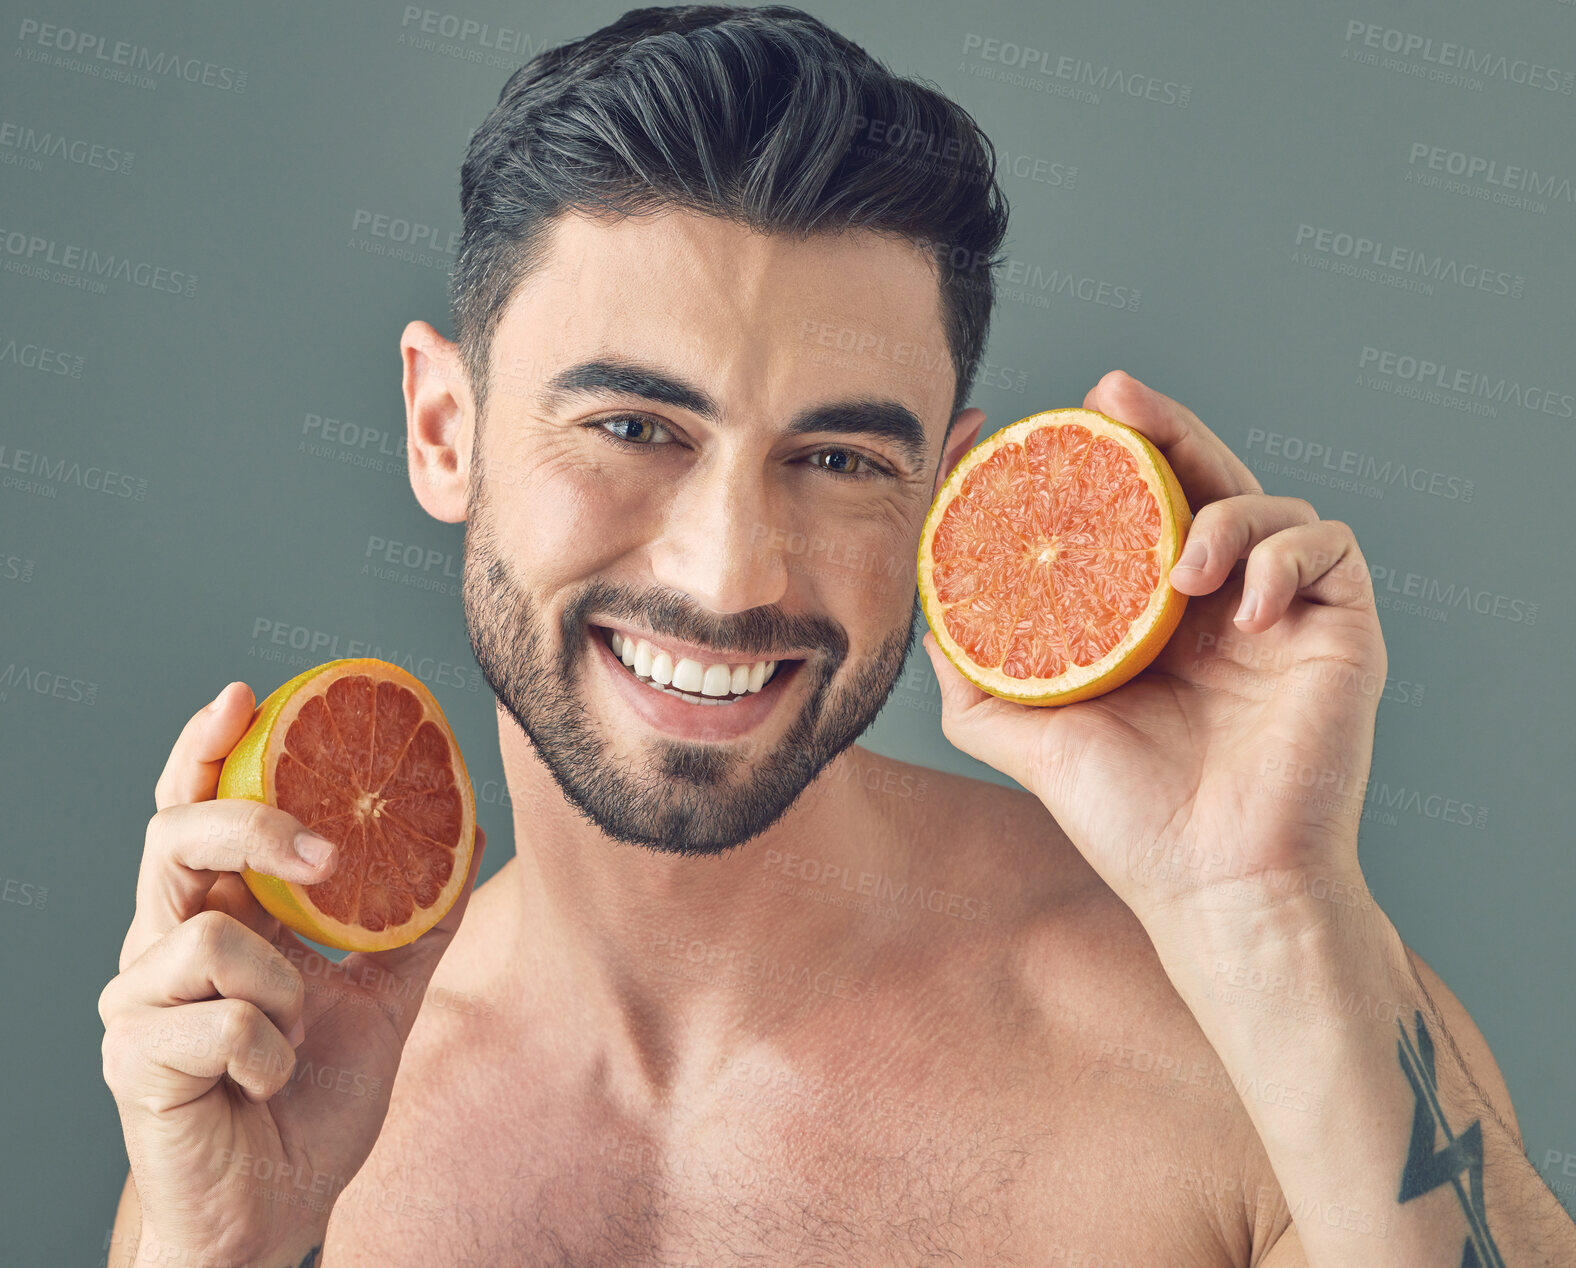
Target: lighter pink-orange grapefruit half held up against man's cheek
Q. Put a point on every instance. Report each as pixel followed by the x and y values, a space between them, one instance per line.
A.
pixel 1046 562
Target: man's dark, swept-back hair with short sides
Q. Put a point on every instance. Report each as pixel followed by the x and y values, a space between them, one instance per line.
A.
pixel 760 116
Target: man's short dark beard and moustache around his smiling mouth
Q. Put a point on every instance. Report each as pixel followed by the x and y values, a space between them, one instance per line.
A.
pixel 694 799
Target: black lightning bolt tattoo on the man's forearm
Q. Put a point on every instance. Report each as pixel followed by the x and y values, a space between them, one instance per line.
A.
pixel 1429 1168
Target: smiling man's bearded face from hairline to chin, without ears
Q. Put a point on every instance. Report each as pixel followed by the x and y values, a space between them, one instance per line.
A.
pixel 724 445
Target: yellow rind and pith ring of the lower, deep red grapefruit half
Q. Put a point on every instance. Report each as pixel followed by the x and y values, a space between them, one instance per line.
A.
pixel 248 774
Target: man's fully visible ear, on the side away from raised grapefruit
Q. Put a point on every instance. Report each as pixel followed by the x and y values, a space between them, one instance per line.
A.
pixel 439 421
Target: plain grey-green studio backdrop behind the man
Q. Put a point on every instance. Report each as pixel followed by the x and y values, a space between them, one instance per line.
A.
pixel 1345 237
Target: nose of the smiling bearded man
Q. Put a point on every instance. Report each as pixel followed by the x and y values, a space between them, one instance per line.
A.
pixel 716 539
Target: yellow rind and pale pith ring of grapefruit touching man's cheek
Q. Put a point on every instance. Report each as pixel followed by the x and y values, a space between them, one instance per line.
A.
pixel 1150 631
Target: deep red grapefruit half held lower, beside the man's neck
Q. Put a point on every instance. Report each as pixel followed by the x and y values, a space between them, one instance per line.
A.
pixel 360 752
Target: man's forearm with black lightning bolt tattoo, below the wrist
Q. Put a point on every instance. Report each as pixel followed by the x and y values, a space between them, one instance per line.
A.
pixel 1386 1149
